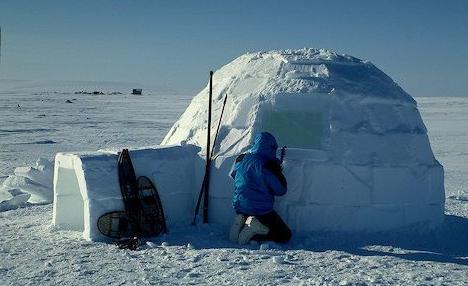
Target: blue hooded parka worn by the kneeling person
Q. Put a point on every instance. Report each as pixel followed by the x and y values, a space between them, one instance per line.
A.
pixel 256 182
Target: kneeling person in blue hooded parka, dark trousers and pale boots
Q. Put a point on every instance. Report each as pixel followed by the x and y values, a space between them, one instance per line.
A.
pixel 258 178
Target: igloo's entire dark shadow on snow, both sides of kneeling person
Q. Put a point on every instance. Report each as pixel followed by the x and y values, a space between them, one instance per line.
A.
pixel 446 244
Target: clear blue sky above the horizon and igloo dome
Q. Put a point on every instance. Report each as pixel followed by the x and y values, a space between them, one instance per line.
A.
pixel 422 45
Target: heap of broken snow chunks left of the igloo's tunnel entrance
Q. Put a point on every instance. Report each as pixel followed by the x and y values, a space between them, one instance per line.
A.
pixel 29 185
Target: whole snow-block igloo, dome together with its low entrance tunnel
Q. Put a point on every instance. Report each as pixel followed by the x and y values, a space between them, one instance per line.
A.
pixel 358 155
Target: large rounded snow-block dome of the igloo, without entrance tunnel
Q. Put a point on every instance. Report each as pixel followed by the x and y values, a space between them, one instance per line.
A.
pixel 358 155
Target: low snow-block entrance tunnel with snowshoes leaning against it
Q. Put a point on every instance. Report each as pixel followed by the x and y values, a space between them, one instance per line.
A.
pixel 86 185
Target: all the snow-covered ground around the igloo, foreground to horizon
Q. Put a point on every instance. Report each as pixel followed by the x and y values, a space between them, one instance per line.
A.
pixel 31 252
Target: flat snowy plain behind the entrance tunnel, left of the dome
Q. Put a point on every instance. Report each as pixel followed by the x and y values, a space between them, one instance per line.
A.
pixel 37 121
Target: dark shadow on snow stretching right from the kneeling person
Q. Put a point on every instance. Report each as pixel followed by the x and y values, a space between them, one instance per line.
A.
pixel 447 244
